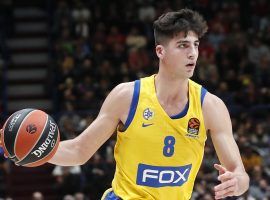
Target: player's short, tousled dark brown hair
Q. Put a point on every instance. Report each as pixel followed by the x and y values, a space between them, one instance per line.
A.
pixel 172 23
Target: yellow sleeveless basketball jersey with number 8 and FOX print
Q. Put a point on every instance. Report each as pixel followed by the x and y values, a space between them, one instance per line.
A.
pixel 158 156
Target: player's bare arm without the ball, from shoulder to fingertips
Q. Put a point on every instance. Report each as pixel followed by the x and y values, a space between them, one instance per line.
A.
pixel 232 174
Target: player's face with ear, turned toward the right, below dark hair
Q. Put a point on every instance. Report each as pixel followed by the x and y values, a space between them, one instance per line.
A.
pixel 179 55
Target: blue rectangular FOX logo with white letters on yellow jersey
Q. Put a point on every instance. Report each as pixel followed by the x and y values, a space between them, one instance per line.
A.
pixel 157 176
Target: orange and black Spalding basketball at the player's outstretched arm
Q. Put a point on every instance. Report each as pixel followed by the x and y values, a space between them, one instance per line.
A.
pixel 30 137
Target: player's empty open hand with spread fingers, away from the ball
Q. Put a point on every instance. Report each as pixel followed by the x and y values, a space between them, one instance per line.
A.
pixel 229 183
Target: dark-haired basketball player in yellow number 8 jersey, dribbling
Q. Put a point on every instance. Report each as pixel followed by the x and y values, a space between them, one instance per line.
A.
pixel 161 124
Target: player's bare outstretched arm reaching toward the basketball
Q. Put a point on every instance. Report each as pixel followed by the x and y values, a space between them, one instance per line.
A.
pixel 78 150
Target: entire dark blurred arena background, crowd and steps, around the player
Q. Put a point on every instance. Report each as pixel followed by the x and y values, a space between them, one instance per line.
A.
pixel 65 56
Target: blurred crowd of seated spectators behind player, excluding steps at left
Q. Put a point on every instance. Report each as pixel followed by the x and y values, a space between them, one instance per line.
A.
pixel 99 44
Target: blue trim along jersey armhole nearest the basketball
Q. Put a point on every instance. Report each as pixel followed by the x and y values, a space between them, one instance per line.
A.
pixel 134 103
